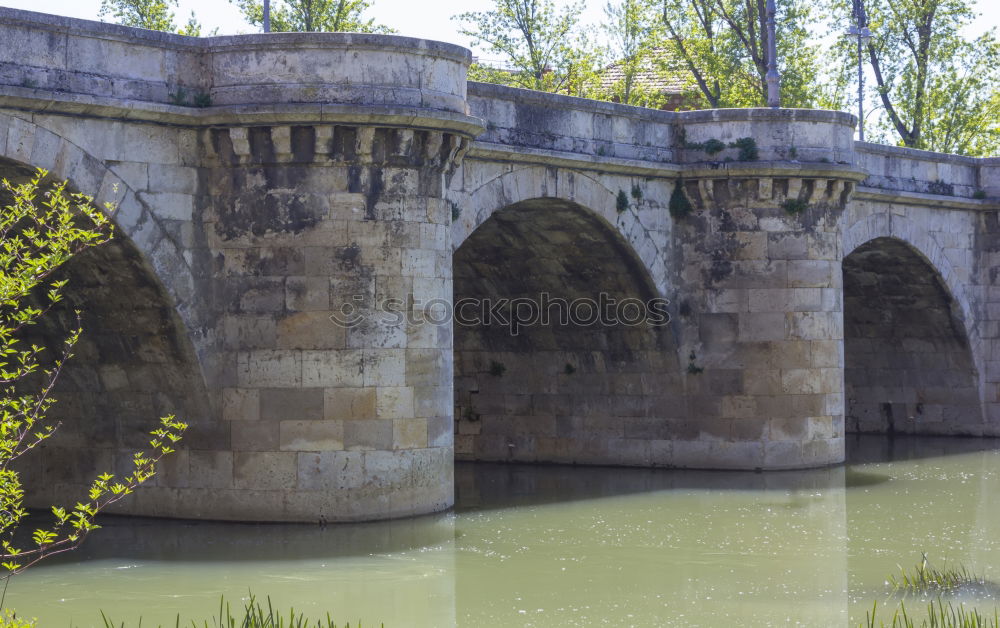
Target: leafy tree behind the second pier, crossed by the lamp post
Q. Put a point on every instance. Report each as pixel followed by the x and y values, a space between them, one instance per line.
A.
pixel 722 44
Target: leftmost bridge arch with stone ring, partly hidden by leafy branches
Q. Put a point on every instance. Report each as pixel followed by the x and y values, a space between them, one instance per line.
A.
pixel 136 359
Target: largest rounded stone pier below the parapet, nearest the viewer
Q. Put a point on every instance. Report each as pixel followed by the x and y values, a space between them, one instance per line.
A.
pixel 337 420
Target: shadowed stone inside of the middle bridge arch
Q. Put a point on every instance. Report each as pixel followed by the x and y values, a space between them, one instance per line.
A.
pixel 574 387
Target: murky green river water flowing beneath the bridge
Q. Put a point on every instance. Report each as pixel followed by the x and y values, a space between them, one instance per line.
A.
pixel 568 546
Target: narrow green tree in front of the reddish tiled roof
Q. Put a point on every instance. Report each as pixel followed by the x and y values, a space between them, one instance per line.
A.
pixel 632 26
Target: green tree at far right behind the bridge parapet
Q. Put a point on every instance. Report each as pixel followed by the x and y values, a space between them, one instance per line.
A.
pixel 937 89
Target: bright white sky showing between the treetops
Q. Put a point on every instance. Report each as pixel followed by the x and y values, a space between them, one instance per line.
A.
pixel 429 19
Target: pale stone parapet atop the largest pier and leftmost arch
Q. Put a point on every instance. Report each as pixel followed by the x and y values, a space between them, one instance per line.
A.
pixel 85 67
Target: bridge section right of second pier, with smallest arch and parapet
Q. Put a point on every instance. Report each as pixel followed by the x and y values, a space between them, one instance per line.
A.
pixel 917 356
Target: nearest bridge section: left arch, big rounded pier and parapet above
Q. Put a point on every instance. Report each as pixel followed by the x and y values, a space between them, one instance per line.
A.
pixel 309 185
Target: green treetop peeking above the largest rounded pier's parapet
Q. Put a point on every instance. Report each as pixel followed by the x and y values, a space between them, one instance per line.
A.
pixel 313 15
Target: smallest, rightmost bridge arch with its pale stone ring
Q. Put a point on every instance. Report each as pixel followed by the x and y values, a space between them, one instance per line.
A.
pixel 910 360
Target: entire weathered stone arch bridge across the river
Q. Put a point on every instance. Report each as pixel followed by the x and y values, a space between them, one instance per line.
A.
pixel 267 184
